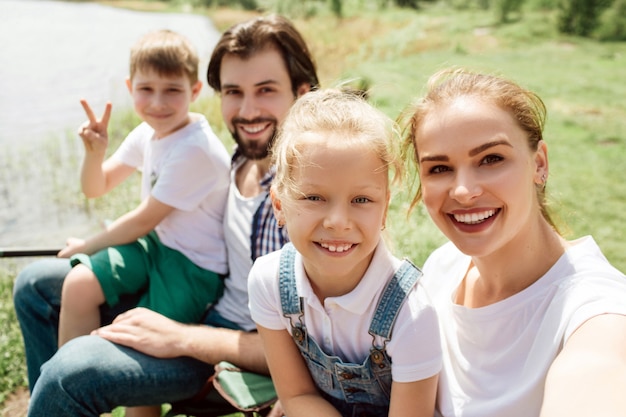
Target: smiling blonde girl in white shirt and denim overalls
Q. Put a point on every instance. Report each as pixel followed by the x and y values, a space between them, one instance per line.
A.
pixel 347 329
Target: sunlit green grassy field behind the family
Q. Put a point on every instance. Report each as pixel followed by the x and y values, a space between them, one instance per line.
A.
pixel 394 51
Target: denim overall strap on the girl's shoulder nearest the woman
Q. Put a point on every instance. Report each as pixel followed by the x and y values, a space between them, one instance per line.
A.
pixel 392 299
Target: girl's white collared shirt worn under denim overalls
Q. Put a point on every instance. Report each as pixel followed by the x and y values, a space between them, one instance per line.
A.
pixel 340 325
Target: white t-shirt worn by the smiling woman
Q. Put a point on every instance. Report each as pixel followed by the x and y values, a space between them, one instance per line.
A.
pixel 496 357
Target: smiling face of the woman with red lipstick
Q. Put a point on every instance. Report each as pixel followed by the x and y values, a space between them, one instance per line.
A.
pixel 478 175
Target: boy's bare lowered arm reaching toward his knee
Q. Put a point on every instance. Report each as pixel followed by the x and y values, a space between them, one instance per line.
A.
pixel 126 229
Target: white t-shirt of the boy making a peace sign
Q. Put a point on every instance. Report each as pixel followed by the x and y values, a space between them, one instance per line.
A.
pixel 188 170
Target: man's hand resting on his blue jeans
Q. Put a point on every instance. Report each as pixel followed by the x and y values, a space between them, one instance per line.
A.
pixel 146 331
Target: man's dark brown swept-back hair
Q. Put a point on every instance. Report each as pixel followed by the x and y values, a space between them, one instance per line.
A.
pixel 248 38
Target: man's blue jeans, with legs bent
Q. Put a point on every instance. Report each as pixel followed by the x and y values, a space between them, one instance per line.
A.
pixel 89 376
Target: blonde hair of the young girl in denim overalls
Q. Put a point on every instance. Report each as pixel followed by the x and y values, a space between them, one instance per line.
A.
pixel 336 113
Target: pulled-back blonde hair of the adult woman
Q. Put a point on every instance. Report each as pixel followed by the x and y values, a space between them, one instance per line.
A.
pixel 445 86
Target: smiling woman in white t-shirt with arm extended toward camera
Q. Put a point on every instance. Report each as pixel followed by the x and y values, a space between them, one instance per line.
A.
pixel 532 324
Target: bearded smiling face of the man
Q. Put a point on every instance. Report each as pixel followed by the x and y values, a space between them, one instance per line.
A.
pixel 256 96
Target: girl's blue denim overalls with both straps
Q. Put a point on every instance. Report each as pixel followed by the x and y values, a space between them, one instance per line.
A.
pixel 356 390
